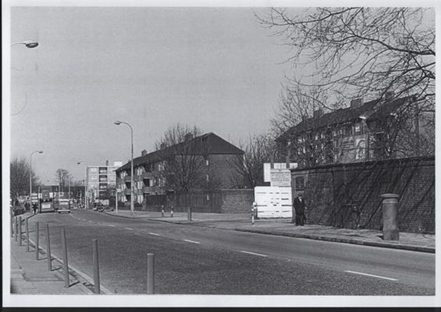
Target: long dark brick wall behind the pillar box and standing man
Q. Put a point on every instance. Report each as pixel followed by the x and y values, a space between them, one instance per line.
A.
pixel 349 195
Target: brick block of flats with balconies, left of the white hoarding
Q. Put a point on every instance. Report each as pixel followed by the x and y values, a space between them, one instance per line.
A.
pixel 209 159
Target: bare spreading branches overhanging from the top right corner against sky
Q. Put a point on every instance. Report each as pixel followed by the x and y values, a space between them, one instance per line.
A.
pixel 361 51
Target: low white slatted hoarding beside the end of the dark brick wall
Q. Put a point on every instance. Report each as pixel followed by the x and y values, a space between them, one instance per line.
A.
pixel 273 202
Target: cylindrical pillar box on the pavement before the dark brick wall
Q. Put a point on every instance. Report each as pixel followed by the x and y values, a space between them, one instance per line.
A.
pixel 390 220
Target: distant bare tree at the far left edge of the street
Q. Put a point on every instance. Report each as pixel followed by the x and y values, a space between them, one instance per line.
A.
pixel 19 177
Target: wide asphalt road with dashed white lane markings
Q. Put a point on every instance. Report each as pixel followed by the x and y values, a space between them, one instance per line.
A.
pixel 200 260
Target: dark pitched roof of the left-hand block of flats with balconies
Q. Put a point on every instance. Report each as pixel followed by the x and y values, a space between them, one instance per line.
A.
pixel 208 143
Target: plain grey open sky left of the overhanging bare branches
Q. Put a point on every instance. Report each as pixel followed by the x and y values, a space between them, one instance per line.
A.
pixel 214 68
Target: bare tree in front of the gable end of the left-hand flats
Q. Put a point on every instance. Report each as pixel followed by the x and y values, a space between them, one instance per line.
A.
pixel 182 159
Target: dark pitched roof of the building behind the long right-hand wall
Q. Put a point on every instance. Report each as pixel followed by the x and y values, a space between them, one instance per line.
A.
pixel 373 110
